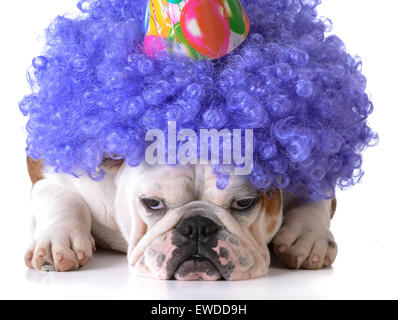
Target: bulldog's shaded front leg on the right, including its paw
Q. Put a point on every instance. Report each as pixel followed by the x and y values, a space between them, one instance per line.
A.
pixel 304 240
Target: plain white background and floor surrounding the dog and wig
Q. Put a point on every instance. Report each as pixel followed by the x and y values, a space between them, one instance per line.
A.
pixel 365 225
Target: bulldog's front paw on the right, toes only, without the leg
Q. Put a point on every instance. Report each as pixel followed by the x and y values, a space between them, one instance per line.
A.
pixel 306 248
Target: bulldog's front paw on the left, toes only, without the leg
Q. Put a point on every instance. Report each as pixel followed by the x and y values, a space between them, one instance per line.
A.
pixel 60 249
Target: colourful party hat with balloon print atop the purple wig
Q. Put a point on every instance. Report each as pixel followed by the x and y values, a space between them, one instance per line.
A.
pixel 195 28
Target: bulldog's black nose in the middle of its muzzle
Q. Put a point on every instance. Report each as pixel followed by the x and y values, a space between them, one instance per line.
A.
pixel 197 228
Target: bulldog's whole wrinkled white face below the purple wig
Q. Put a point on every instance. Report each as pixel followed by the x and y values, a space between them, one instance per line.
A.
pixel 179 225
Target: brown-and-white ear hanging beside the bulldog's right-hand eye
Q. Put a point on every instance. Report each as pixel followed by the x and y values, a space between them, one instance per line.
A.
pixel 270 216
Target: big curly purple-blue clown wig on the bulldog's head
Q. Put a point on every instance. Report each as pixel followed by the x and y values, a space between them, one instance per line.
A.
pixel 96 94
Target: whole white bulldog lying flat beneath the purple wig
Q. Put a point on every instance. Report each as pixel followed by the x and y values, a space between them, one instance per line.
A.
pixel 174 223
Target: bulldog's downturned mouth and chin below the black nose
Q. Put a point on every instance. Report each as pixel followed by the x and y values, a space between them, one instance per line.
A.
pixel 197 268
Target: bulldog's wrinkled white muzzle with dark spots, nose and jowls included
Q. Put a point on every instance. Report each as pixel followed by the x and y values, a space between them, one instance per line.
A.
pixel 202 245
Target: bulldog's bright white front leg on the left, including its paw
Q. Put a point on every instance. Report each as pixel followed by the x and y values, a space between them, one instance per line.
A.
pixel 61 239
